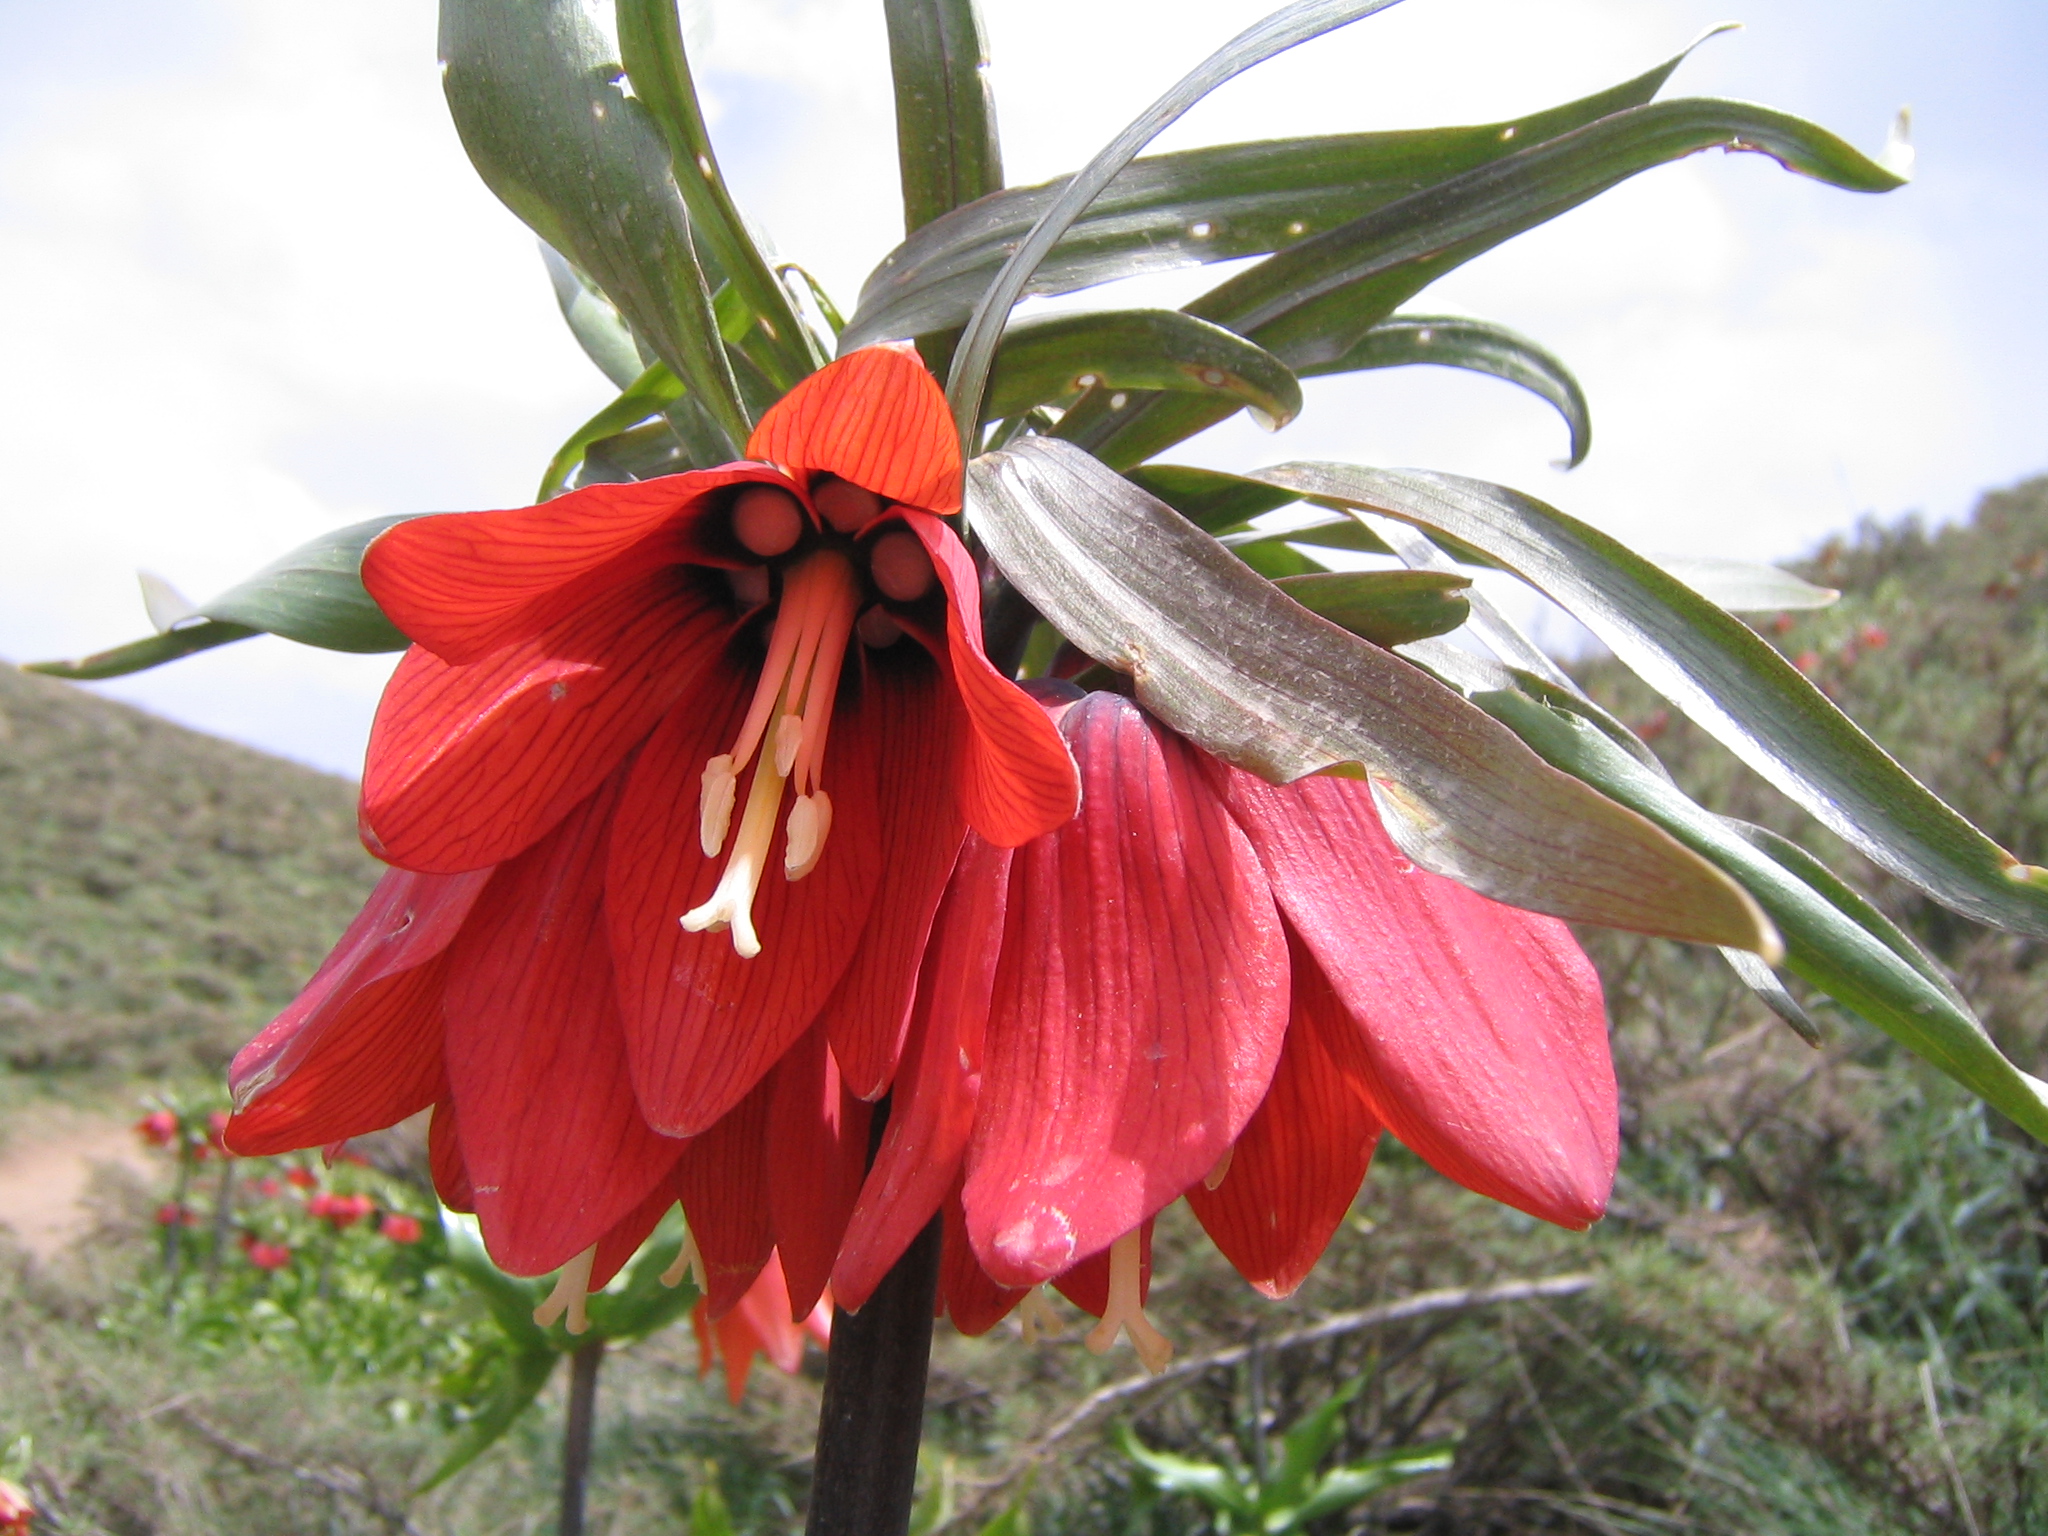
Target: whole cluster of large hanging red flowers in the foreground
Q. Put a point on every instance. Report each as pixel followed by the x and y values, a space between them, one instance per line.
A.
pixel 706 812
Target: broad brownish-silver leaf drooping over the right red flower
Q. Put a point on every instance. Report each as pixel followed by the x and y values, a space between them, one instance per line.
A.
pixel 1230 663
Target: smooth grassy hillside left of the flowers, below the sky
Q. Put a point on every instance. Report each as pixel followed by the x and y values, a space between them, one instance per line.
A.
pixel 161 892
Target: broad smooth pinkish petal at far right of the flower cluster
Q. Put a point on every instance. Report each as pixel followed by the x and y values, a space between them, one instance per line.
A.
pixel 1484 1043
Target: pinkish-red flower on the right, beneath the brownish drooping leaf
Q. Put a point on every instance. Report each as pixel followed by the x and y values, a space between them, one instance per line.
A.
pixel 1218 988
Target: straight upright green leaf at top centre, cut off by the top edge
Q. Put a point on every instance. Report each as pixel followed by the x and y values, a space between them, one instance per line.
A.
pixel 947 146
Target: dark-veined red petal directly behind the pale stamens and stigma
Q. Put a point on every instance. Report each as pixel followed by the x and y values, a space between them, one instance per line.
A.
pixel 706 1025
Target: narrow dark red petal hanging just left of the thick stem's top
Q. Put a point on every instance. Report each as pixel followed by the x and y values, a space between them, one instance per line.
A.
pixel 818 1150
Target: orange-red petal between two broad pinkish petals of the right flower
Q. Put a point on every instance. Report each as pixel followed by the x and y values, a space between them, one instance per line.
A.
pixel 1299 1164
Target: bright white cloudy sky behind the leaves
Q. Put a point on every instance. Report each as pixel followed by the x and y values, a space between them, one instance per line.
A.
pixel 255 290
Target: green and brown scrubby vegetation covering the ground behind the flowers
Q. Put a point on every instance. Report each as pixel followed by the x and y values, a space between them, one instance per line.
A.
pixel 1818 1304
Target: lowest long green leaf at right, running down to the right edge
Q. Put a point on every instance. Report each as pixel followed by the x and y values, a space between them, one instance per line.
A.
pixel 1832 947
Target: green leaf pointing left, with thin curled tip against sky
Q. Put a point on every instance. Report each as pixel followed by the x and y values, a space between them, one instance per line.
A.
pixel 314 597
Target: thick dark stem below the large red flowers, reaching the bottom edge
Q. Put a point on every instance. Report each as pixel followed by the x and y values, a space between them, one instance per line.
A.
pixel 867 1433
